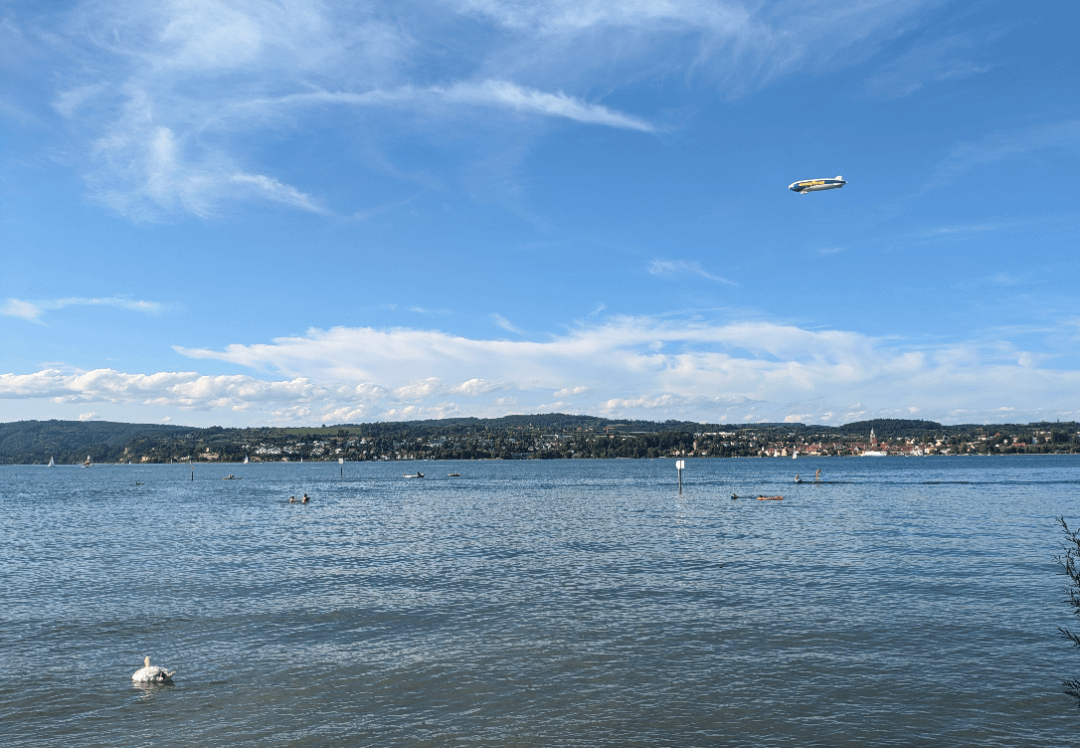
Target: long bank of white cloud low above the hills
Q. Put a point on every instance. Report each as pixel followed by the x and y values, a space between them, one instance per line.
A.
pixel 623 368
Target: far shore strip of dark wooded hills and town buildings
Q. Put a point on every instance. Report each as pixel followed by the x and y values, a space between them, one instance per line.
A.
pixel 548 437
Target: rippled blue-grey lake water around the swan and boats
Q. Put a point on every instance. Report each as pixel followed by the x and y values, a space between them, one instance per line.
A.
pixel 903 603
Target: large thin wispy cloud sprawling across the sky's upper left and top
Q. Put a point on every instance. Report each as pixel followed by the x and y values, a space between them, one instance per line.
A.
pixel 169 100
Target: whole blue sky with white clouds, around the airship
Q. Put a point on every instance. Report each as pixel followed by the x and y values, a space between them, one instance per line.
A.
pixel 302 213
